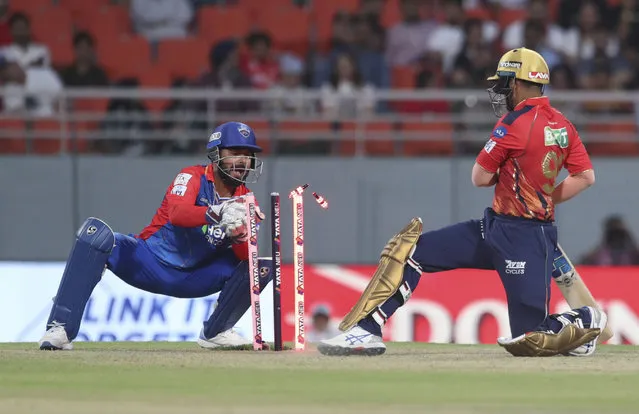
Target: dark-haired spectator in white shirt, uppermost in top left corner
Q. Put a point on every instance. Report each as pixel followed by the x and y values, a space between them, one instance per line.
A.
pixel 23 50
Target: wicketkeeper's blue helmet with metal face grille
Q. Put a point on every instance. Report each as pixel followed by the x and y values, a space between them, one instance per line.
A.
pixel 234 135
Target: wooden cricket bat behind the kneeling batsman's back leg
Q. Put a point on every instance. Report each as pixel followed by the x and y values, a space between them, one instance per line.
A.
pixel 575 291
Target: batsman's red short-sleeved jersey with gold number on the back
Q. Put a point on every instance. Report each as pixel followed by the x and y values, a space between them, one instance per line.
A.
pixel 529 146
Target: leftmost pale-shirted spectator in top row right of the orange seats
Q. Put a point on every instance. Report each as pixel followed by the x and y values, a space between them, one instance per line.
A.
pixel 408 41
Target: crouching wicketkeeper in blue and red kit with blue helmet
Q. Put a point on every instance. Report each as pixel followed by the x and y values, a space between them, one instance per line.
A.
pixel 196 245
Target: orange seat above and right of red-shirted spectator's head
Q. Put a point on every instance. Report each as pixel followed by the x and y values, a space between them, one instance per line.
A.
pixel 289 27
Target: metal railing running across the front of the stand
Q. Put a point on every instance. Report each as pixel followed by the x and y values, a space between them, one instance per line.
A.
pixel 401 123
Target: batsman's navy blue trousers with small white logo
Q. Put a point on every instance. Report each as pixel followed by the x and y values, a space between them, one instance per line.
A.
pixel 520 250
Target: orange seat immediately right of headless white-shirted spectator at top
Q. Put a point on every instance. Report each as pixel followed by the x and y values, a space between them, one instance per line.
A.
pixel 218 23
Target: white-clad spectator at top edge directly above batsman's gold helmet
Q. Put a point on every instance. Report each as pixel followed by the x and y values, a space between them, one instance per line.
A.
pixel 513 36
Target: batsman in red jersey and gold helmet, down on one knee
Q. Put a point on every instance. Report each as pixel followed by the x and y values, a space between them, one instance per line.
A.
pixel 516 237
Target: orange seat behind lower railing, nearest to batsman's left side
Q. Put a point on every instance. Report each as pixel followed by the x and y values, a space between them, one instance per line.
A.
pixel 438 138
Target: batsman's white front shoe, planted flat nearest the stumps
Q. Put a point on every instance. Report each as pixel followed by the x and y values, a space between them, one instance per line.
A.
pixel 355 341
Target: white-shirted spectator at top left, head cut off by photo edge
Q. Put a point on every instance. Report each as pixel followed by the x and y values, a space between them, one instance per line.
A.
pixel 161 19
